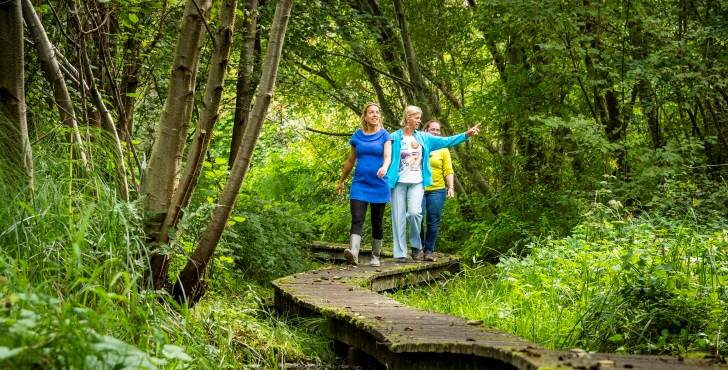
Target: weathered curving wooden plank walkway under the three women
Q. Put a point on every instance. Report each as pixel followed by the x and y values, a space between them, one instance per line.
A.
pixel 400 337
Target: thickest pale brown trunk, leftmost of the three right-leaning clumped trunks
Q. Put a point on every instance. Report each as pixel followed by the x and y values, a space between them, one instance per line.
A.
pixel 164 163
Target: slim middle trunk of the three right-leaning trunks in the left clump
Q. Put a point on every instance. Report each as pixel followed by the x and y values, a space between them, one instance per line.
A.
pixel 208 118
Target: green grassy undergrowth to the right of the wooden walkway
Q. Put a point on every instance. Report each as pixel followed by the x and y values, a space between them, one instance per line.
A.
pixel 644 285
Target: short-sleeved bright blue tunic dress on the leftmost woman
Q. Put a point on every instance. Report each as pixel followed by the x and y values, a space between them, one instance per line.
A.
pixel 367 186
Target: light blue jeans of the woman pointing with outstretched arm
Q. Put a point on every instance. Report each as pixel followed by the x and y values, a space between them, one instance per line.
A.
pixel 406 209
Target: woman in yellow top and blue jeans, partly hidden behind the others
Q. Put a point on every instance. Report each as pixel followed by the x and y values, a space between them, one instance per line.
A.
pixel 443 184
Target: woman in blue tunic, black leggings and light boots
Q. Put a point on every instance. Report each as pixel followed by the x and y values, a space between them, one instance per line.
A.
pixel 371 150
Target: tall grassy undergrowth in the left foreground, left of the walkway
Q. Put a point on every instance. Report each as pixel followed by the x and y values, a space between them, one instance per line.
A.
pixel 71 294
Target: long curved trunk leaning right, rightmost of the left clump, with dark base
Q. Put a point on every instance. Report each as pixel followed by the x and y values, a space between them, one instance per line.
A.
pixel 190 286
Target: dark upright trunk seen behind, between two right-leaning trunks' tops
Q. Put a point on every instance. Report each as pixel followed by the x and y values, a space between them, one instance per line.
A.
pixel 246 83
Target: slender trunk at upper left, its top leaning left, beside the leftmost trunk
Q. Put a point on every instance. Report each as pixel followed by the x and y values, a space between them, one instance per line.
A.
pixel 51 69
